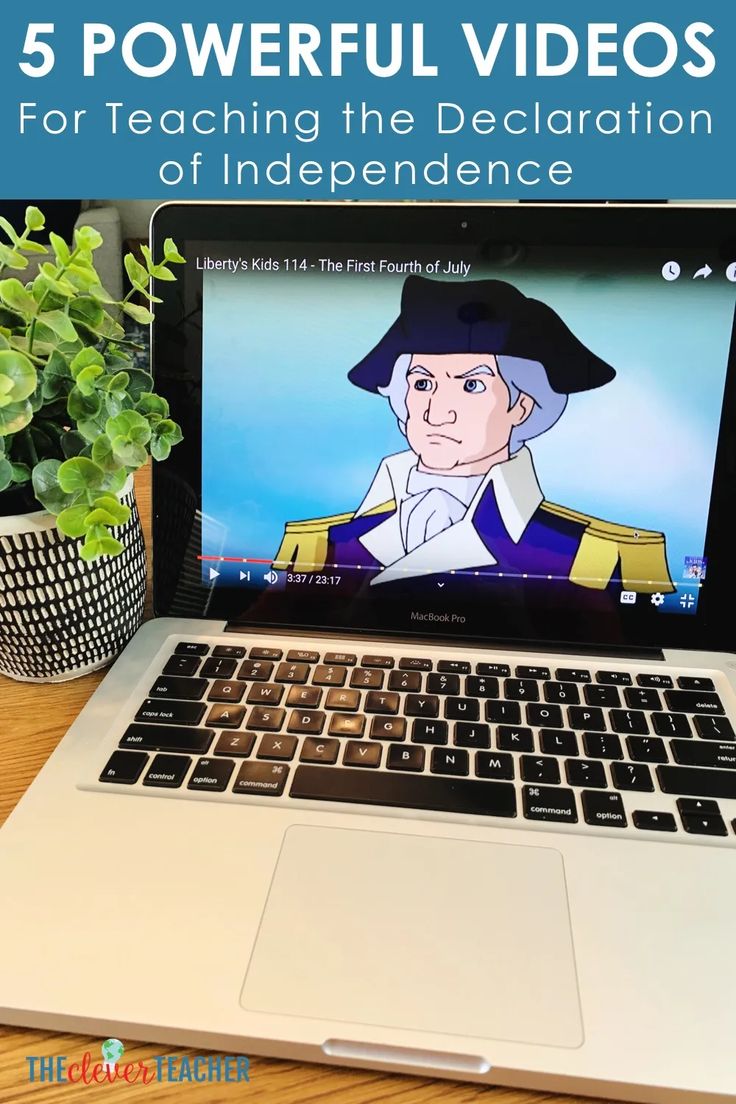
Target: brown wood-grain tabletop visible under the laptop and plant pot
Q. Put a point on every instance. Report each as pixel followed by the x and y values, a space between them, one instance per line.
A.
pixel 40 717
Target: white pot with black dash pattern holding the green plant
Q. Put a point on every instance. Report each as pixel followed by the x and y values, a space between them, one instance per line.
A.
pixel 61 618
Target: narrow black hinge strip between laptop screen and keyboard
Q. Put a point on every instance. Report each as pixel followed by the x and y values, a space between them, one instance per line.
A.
pixel 396 641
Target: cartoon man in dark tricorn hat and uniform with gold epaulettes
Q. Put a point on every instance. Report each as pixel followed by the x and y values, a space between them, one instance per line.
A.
pixel 473 373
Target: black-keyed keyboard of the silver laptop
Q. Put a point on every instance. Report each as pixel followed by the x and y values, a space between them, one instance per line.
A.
pixel 586 747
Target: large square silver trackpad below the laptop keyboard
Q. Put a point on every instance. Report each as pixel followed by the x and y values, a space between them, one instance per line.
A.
pixel 421 933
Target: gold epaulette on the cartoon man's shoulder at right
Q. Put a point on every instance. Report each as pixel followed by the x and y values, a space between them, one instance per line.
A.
pixel 642 555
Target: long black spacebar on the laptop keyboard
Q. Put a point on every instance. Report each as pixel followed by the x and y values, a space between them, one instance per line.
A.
pixel 406 791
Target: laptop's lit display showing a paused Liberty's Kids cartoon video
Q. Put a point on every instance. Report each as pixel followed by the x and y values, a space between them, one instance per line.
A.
pixel 440 439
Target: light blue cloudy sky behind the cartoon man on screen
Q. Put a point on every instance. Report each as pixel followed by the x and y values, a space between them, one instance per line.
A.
pixel 286 437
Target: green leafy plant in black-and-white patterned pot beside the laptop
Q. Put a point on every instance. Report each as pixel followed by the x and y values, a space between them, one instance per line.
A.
pixel 78 419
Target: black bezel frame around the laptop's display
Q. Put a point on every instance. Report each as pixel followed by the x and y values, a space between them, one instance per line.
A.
pixel 177 356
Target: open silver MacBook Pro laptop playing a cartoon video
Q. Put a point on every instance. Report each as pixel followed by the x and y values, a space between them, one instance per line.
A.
pixel 428 760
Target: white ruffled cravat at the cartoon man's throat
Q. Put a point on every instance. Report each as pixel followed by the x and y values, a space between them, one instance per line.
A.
pixel 434 503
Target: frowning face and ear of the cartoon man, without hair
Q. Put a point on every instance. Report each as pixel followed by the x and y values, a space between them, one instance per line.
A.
pixel 458 417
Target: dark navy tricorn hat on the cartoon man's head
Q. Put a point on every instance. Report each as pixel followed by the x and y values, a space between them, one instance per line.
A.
pixel 482 316
